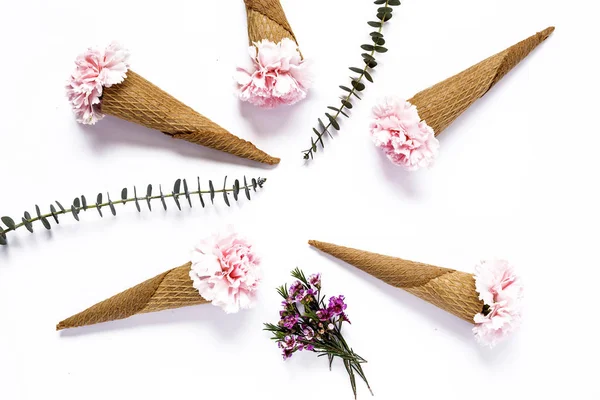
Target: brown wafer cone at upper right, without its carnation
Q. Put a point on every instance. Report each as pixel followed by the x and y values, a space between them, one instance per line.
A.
pixel 442 103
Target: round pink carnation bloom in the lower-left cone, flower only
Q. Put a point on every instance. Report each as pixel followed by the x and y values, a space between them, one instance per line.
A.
pixel 226 271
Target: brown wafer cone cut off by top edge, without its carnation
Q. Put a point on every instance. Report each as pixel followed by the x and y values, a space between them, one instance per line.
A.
pixel 267 20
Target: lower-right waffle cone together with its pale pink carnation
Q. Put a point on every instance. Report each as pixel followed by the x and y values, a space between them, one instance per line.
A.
pixel 490 299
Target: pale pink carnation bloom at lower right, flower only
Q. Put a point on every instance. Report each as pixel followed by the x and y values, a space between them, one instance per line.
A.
pixel 501 290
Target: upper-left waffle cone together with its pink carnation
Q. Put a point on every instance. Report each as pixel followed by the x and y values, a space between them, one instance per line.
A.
pixel 102 83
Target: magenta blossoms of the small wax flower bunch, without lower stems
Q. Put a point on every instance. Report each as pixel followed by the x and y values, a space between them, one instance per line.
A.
pixel 305 320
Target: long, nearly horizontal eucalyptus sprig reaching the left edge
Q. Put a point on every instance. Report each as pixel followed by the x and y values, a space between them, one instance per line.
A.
pixel 180 189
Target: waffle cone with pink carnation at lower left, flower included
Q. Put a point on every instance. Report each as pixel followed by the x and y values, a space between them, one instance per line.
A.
pixel 224 271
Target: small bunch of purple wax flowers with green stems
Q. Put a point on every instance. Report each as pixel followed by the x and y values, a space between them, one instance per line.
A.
pixel 307 323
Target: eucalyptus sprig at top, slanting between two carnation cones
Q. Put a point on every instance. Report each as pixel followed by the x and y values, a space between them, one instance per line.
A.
pixel 384 14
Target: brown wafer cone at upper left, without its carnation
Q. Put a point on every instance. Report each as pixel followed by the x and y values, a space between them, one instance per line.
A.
pixel 139 101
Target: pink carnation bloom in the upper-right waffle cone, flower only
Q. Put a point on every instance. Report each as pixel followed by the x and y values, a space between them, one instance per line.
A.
pixel 399 131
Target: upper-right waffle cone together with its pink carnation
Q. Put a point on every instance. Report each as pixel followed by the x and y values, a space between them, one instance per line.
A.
pixel 406 130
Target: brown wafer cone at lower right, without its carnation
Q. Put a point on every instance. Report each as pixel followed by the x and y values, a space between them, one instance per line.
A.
pixel 448 289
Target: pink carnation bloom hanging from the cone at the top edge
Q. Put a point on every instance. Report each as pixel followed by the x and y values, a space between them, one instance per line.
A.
pixel 276 75
